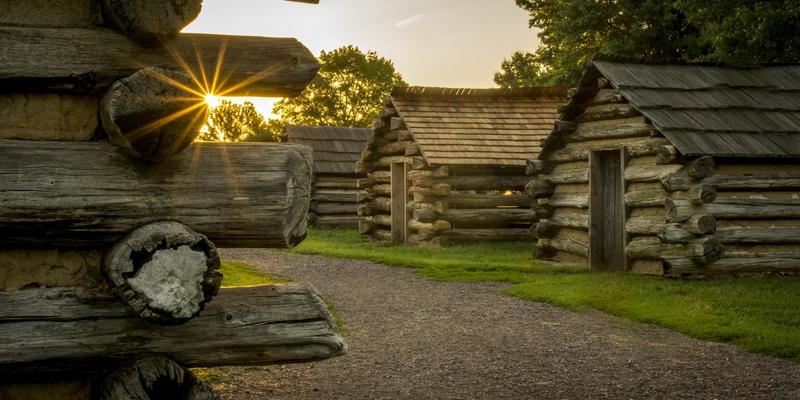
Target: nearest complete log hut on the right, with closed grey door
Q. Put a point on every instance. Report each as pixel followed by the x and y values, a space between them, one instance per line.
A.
pixel 673 169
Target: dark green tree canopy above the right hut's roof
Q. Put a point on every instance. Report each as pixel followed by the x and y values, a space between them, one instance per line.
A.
pixel 729 31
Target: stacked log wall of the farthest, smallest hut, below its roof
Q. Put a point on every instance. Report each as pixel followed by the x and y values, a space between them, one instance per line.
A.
pixel 335 201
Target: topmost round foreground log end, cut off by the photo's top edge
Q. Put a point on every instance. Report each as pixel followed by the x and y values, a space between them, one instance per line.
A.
pixel 150 22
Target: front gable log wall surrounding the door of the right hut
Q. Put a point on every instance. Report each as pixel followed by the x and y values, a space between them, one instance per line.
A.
pixel 604 120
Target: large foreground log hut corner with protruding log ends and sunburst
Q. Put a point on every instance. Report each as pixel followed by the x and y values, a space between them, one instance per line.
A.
pixel 110 217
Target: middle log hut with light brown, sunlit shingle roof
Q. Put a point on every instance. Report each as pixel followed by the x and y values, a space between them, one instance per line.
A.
pixel 448 165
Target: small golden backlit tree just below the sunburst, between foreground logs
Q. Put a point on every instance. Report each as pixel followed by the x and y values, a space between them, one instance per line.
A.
pixel 231 122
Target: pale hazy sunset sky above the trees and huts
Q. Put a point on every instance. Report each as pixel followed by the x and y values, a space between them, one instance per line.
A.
pixel 450 43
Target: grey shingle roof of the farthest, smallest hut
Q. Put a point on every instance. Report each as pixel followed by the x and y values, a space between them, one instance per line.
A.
pixel 336 150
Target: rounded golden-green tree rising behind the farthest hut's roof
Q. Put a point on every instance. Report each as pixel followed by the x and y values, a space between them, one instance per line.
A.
pixel 348 91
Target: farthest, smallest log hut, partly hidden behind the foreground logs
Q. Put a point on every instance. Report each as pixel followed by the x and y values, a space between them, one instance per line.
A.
pixel 334 200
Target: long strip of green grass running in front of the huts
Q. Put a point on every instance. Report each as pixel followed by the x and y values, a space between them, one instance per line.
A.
pixel 757 314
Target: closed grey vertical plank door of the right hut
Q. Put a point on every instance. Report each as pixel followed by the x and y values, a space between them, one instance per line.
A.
pixel 607 238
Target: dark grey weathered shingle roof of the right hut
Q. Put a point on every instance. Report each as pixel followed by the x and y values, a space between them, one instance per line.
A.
pixel 712 110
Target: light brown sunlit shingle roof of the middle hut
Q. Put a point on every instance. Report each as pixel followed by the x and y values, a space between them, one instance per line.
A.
pixel 497 127
